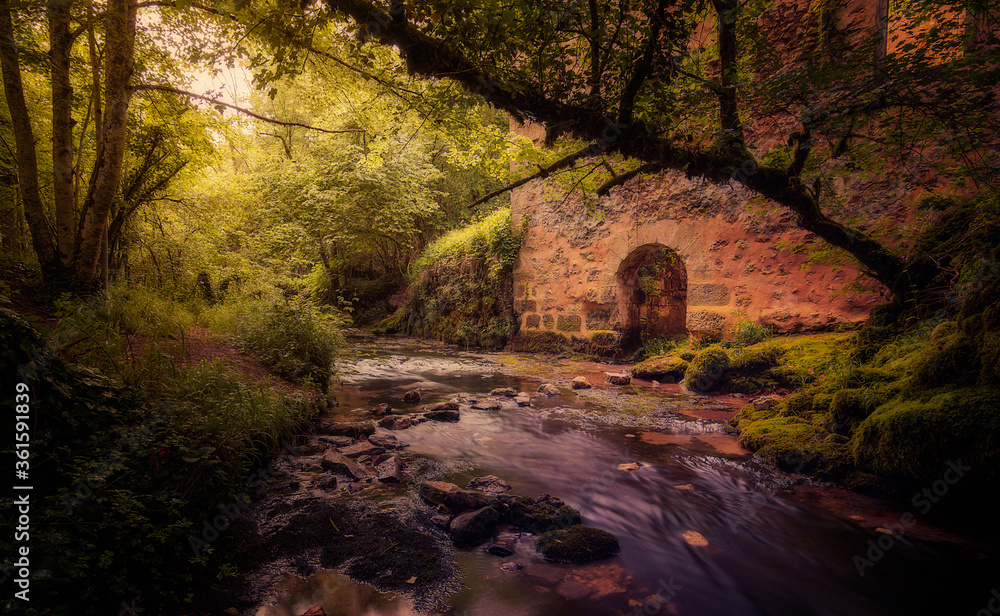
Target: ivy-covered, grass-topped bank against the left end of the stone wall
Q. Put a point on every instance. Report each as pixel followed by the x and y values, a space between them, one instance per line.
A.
pixel 463 287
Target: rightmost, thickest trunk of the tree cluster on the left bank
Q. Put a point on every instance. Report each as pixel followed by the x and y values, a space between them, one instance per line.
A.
pixel 120 46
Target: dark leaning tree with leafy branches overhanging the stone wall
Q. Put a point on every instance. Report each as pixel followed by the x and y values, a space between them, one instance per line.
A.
pixel 628 78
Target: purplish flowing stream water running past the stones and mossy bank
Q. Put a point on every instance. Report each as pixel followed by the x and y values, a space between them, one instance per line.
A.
pixel 704 530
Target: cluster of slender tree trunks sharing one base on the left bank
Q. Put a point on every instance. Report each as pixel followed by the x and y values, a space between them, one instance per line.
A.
pixel 71 251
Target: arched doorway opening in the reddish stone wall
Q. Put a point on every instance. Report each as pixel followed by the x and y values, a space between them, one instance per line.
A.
pixel 652 294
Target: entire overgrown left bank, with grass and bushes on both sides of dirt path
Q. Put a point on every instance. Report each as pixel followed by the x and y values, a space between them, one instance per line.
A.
pixel 139 457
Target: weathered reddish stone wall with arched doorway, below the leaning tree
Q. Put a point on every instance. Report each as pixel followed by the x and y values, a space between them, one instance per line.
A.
pixel 666 256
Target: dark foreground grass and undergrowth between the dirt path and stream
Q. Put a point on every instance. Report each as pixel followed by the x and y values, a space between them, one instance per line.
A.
pixel 127 477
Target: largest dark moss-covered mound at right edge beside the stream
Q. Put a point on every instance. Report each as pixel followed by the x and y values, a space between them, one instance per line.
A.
pixel 915 438
